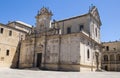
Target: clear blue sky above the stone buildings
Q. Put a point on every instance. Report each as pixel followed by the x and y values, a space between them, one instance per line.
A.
pixel 26 10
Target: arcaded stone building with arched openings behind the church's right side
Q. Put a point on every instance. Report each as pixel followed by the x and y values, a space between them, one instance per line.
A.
pixel 111 56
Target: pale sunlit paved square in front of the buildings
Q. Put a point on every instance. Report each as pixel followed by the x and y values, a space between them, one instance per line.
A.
pixel 15 73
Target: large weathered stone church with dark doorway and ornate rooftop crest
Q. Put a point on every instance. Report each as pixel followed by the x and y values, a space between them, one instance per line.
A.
pixel 68 44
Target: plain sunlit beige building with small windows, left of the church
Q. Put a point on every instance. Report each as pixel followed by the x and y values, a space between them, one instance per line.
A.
pixel 10 36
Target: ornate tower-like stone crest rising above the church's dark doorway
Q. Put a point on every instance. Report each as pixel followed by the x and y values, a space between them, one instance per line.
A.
pixel 43 19
